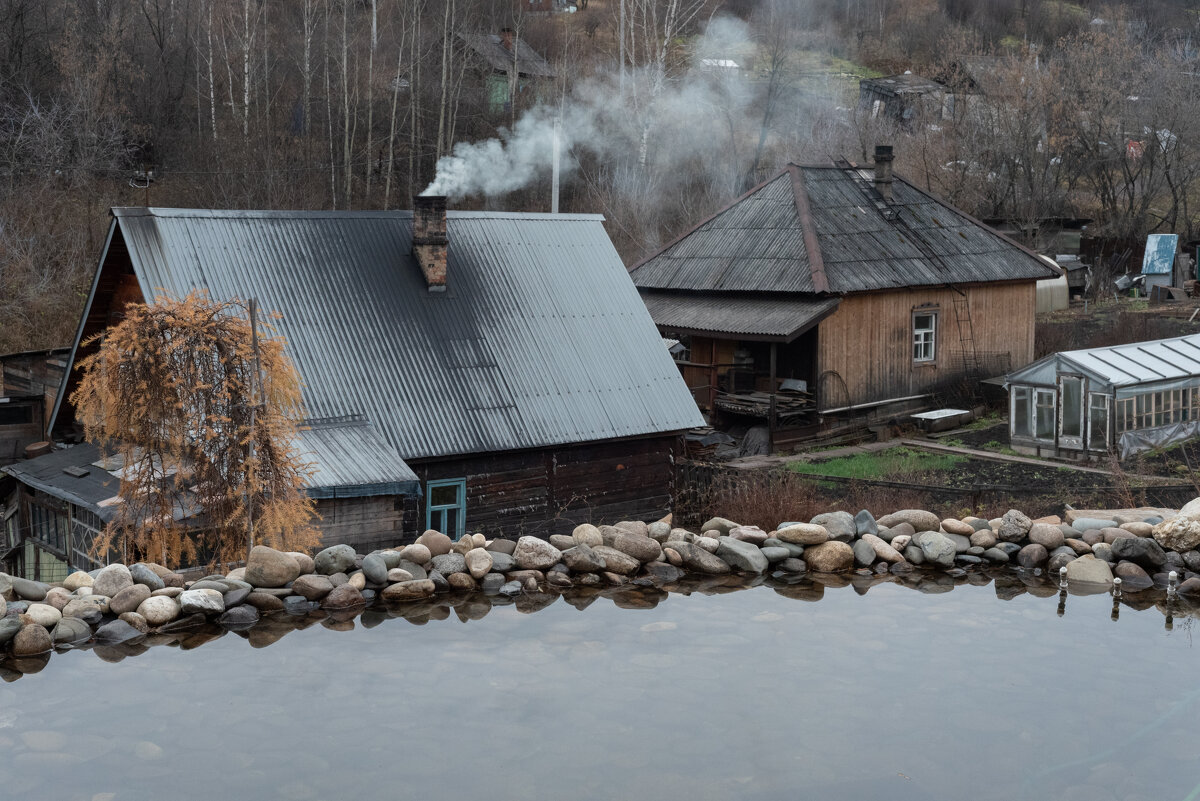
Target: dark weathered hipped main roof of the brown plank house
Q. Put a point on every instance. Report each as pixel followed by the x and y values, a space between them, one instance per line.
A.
pixel 758 243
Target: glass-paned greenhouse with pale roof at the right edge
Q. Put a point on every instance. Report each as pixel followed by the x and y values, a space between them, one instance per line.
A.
pixel 1126 400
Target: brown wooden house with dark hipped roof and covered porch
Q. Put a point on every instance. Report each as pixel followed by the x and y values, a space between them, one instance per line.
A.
pixel 839 291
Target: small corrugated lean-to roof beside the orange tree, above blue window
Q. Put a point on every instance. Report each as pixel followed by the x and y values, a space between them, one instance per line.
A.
pixel 351 457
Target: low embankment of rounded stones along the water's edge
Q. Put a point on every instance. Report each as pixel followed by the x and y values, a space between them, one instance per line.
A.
pixel 121 605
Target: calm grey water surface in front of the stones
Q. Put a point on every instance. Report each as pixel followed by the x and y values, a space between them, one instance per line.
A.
pixel 895 695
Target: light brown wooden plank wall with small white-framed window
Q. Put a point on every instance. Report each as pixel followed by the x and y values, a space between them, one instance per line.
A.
pixel 868 341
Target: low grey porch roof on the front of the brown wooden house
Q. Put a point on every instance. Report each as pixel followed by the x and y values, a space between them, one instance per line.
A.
pixel 764 318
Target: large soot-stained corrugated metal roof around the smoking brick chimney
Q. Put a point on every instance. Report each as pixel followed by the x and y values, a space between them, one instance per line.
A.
pixel 539 340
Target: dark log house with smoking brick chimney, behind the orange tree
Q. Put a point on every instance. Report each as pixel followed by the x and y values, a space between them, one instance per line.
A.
pixel 463 371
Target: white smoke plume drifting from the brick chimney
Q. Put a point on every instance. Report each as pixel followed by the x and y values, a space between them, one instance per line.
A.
pixel 659 127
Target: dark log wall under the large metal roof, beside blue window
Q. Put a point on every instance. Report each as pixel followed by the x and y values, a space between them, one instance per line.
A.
pixel 553 491
